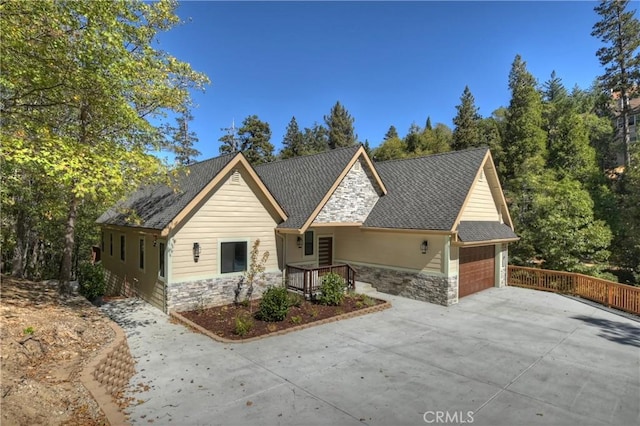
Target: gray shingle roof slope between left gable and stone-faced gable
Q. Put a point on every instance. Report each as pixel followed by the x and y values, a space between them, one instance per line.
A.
pixel 299 184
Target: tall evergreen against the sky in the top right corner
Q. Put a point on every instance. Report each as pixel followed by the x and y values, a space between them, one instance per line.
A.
pixel 619 30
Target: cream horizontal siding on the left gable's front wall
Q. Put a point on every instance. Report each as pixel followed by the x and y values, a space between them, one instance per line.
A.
pixel 233 211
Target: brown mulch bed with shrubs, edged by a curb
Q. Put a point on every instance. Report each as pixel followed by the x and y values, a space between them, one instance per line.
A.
pixel 221 320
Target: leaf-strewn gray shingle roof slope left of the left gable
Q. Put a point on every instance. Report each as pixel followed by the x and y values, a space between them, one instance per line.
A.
pixel 154 207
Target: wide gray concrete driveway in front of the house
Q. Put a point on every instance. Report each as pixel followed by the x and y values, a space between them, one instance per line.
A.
pixel 506 356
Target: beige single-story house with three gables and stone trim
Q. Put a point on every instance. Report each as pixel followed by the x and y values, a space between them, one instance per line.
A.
pixel 434 228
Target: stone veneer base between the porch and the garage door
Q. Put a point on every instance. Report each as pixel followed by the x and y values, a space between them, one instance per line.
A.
pixel 414 285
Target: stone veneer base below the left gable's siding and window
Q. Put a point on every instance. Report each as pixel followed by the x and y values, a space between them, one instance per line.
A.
pixel 190 295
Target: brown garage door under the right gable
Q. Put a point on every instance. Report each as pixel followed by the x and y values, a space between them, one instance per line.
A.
pixel 477 269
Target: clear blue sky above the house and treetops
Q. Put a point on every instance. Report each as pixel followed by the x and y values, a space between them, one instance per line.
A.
pixel 388 63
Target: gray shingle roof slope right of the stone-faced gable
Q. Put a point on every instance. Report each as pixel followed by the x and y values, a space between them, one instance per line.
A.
pixel 426 192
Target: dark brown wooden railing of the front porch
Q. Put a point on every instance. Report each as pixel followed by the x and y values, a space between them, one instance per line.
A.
pixel 307 280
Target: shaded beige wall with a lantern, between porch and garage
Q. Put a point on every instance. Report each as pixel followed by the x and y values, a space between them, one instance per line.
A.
pixel 398 250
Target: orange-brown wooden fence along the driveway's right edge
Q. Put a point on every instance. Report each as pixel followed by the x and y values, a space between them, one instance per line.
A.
pixel 614 295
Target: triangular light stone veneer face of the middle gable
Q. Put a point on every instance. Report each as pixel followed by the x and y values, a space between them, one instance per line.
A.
pixel 353 199
